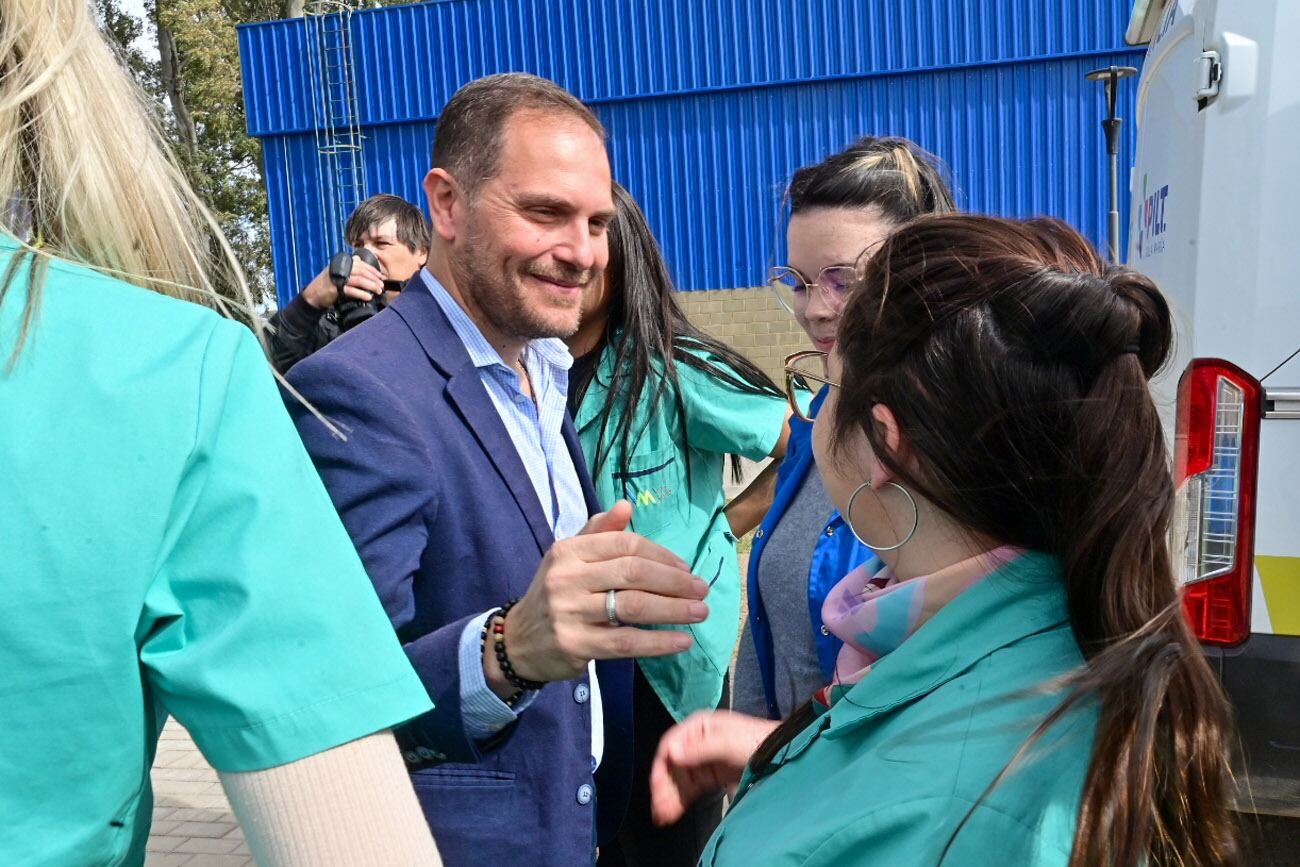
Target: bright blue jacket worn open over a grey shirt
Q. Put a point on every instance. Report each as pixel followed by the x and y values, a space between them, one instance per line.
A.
pixel 837 554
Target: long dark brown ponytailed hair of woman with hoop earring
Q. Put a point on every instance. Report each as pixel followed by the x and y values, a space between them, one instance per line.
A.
pixel 1008 352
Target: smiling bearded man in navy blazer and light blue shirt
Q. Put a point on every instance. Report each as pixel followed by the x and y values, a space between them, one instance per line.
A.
pixel 460 476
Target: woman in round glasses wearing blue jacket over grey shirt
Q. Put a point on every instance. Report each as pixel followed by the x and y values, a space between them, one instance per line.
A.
pixel 842 210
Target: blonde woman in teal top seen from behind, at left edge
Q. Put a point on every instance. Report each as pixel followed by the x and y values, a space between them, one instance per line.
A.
pixel 166 545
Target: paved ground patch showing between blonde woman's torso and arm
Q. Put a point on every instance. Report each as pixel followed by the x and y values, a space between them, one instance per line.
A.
pixel 193 823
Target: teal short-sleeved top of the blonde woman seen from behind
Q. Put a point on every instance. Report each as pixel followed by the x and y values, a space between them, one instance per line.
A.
pixel 166 549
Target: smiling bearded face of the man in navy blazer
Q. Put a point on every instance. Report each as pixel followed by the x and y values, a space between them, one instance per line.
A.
pixel 535 237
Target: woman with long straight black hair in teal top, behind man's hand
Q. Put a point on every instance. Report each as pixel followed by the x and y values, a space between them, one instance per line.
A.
pixel 658 406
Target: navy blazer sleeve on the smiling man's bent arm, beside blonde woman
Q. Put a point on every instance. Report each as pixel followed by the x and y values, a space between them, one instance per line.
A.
pixel 388 508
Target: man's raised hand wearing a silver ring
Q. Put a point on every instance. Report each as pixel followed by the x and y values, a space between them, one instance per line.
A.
pixel 561 623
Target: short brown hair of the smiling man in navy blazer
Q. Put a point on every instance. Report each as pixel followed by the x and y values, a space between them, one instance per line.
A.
pixel 467 141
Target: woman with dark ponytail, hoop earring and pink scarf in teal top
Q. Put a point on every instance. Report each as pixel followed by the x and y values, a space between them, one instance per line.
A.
pixel 1017 686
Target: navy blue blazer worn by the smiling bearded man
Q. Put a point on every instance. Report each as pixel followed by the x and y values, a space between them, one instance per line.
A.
pixel 448 524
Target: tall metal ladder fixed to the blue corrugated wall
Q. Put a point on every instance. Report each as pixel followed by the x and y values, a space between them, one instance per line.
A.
pixel 335 111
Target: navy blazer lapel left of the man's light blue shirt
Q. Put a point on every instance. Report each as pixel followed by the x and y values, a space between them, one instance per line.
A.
pixel 466 393
